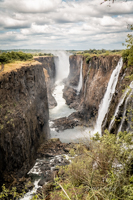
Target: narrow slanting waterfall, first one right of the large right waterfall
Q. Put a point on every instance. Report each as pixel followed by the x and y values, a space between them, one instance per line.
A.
pixel 119 104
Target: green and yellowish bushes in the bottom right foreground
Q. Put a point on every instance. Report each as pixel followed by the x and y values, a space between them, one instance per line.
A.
pixel 104 172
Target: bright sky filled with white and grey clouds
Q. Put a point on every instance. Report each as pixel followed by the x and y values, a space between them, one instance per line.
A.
pixel 64 24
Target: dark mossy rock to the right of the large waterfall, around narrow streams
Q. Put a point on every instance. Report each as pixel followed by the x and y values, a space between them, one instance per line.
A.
pixel 126 105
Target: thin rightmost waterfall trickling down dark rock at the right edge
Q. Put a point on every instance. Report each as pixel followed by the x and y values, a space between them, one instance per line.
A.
pixel 125 106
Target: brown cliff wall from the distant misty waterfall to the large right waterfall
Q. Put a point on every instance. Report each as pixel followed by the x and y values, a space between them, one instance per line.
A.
pixel 96 75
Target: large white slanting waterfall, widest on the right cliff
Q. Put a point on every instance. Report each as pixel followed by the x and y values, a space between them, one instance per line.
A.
pixel 104 105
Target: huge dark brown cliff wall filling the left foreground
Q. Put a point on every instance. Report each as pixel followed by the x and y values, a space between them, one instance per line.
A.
pixel 23 120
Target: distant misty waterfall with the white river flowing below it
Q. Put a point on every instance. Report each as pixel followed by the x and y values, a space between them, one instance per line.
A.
pixel 62 71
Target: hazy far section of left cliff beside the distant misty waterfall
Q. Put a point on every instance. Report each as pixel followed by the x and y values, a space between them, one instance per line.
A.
pixel 50 73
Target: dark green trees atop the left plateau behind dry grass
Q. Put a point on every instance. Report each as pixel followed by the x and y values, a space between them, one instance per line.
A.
pixel 14 56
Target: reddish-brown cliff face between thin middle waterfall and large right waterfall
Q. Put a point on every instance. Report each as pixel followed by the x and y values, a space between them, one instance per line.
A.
pixel 96 77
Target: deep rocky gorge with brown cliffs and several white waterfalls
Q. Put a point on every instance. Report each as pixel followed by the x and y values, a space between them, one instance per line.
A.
pixel 60 97
